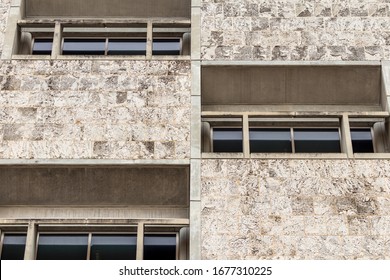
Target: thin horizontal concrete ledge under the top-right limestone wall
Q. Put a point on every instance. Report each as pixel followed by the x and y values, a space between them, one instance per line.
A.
pixel 292 63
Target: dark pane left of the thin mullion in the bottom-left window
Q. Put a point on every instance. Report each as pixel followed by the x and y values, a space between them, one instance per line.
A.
pixel 62 247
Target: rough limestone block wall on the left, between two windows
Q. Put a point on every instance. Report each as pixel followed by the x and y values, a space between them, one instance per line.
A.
pixel 94 109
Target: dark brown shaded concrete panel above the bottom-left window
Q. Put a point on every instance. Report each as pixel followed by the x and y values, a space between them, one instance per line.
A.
pixel 87 186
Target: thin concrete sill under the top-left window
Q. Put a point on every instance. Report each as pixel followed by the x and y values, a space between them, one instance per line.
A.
pixel 99 57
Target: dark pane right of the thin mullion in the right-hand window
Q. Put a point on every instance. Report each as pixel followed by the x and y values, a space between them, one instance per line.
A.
pixel 316 140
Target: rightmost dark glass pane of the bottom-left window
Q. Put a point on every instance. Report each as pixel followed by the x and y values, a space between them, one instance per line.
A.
pixel 160 247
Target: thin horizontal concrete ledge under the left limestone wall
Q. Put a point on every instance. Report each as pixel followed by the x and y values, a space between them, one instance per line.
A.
pixel 97 162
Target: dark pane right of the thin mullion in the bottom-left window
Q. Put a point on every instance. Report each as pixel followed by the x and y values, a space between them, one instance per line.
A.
pixel 113 247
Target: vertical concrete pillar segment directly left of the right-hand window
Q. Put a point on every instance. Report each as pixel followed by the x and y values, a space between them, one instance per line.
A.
pixel 195 127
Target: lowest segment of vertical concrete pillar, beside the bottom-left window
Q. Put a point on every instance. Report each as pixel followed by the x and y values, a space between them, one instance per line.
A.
pixel 195 230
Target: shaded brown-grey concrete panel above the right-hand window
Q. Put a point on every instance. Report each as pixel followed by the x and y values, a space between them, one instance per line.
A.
pixel 310 85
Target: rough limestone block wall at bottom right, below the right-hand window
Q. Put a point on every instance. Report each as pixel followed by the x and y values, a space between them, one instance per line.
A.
pixel 295 209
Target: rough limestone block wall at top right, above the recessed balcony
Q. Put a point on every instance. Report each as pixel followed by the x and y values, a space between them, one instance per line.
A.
pixel 295 29
